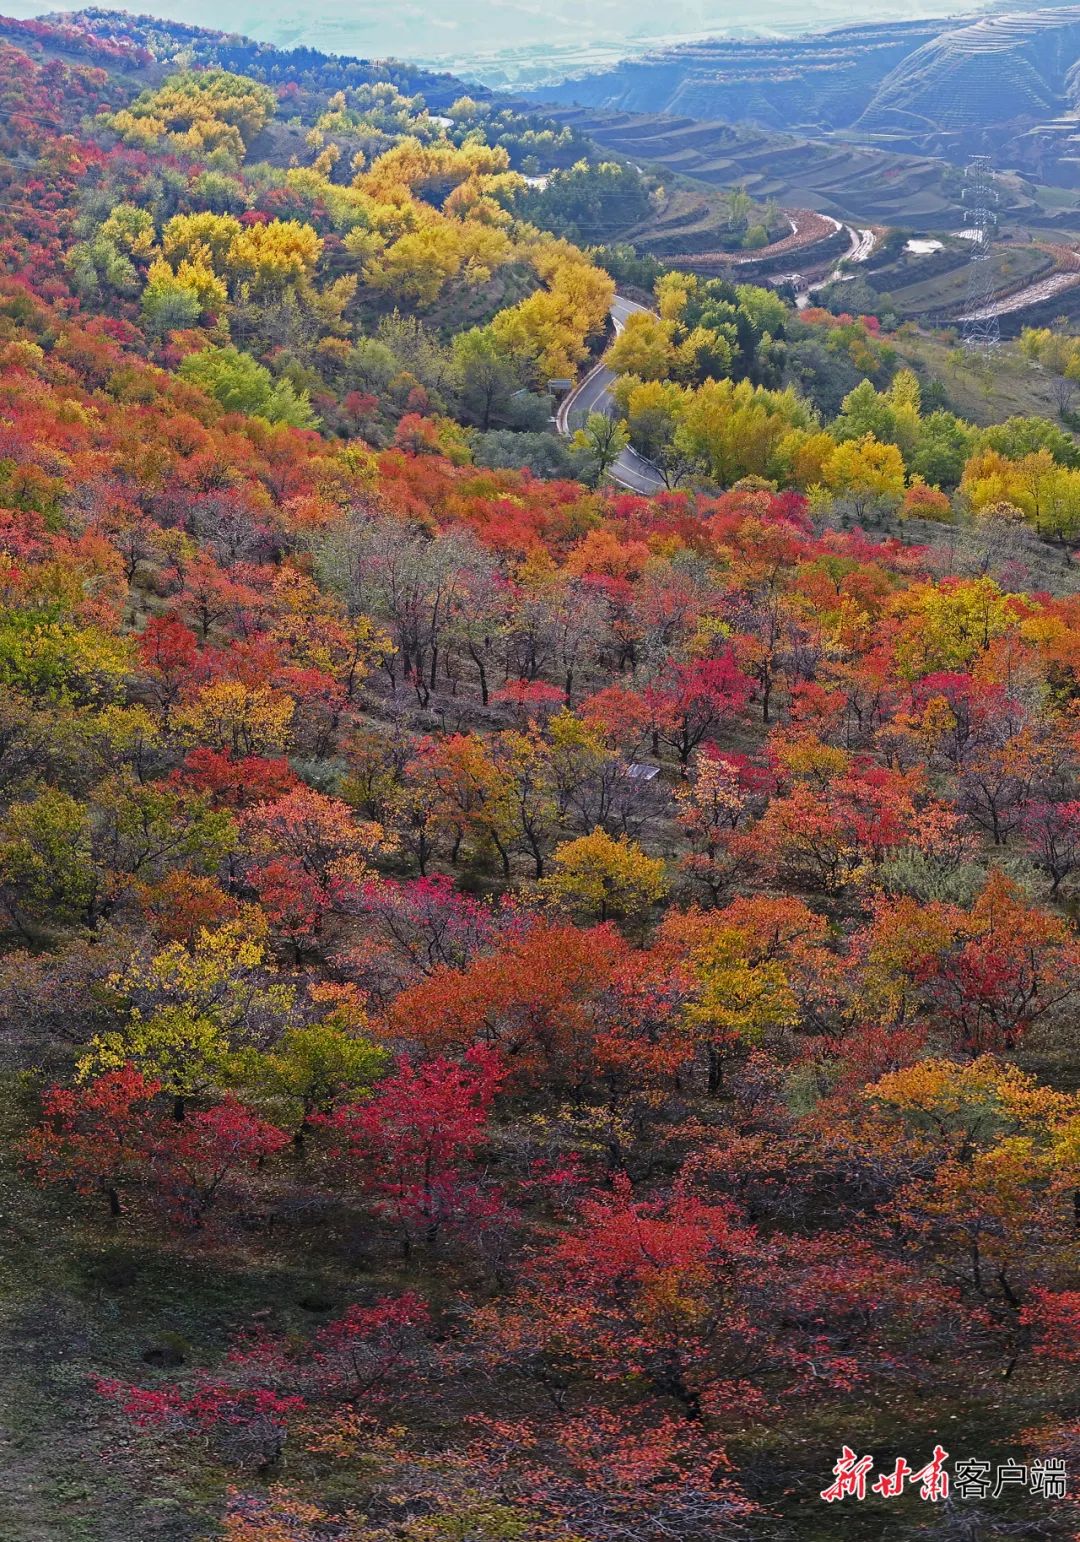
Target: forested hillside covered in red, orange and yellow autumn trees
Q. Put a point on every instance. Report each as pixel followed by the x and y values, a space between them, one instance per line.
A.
pixel 528 1014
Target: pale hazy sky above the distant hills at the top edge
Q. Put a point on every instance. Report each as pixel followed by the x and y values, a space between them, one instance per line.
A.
pixel 494 41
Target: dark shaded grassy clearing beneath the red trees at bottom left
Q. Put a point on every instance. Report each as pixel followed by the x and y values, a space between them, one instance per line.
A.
pixel 83 1298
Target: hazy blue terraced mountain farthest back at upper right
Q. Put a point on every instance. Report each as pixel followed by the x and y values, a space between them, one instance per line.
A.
pixel 943 89
